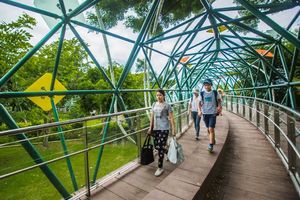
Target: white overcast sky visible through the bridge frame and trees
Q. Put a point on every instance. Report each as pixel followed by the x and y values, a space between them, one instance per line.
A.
pixel 120 50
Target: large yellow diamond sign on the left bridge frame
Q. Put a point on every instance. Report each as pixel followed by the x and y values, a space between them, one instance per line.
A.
pixel 43 84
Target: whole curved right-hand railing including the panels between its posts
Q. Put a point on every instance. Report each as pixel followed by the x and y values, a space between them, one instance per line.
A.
pixel 280 125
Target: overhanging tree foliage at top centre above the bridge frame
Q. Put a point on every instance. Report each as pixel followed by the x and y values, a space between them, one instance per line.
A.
pixel 173 12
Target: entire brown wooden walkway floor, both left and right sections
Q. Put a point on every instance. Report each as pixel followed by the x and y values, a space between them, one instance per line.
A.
pixel 250 169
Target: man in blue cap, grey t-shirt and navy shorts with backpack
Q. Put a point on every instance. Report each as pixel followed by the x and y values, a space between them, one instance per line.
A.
pixel 209 107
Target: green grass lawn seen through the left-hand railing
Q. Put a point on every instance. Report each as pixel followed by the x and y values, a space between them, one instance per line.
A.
pixel 33 184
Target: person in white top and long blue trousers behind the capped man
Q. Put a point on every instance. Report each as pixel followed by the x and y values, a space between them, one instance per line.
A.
pixel 193 110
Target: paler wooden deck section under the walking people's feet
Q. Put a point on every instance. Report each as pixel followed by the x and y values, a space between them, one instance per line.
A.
pixel 177 182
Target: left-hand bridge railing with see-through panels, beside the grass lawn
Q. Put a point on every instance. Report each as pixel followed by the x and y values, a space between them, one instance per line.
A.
pixel 74 151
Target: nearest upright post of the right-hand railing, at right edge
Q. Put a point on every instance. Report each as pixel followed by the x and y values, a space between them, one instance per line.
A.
pixel 292 137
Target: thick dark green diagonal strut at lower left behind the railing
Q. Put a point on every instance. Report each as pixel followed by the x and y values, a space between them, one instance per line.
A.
pixel 33 152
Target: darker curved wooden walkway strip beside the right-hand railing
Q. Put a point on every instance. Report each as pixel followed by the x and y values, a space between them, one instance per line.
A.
pixel 251 168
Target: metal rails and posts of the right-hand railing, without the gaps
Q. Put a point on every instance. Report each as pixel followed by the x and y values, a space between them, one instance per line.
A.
pixel 290 158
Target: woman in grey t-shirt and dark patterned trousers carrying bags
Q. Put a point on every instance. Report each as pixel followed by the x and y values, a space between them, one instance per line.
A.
pixel 161 116
